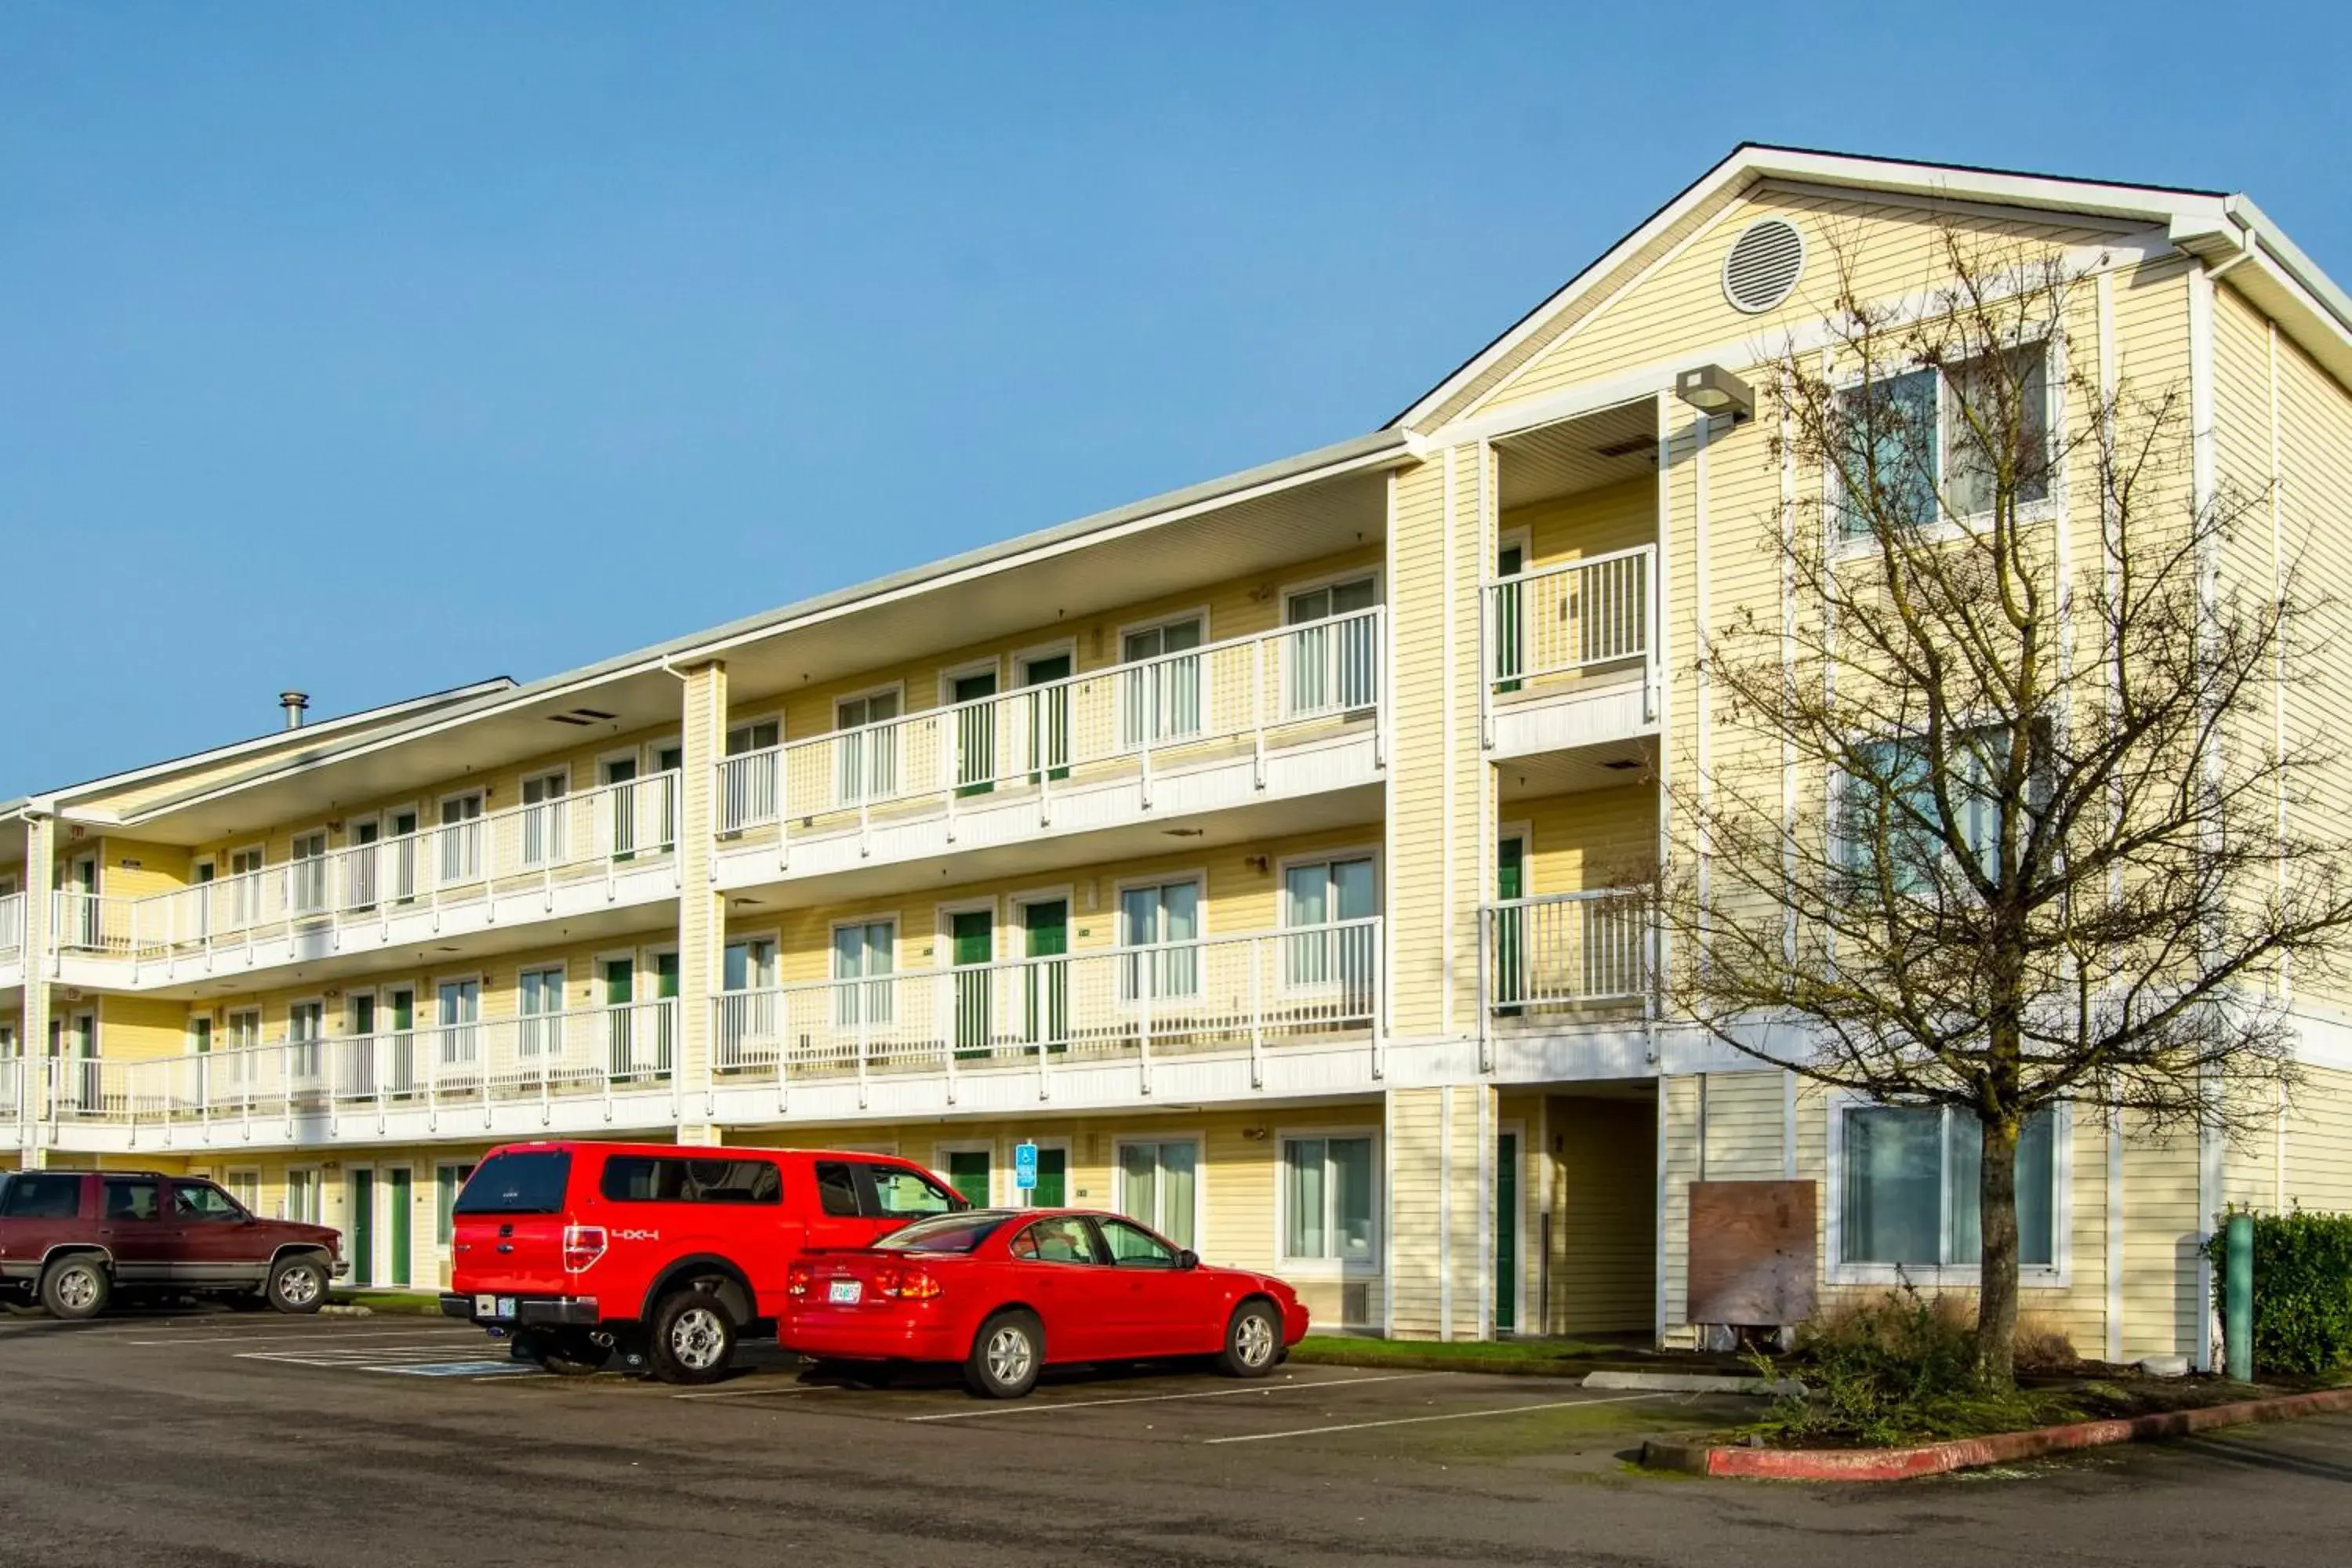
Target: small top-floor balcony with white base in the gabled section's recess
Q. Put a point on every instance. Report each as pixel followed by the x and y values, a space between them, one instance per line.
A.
pixel 1570 657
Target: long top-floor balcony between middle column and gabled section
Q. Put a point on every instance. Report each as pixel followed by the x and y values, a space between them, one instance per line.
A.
pixel 1285 716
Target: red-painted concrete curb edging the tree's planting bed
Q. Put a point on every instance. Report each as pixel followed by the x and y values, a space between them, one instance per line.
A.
pixel 1972 1452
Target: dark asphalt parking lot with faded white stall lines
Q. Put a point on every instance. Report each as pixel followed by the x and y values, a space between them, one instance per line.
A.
pixel 265 1440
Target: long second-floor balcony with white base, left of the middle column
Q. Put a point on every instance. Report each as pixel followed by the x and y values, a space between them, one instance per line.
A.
pixel 502 1078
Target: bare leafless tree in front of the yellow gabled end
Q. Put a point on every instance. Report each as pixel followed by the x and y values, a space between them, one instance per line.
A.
pixel 1998 819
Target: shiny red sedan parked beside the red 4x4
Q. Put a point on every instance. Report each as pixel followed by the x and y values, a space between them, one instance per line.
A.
pixel 1010 1292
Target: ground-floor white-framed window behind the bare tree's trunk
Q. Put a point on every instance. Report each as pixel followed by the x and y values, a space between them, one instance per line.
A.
pixel 1906 1200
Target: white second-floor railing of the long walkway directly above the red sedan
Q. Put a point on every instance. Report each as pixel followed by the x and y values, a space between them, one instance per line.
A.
pixel 1234 993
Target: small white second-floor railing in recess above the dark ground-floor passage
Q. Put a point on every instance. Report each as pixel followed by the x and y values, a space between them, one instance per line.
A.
pixel 1565 951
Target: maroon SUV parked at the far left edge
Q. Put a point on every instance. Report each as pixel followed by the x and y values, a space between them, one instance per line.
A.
pixel 76 1238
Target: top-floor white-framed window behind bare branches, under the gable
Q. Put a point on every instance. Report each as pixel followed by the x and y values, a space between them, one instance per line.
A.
pixel 1895 420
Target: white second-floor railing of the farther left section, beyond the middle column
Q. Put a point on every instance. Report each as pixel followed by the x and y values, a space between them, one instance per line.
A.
pixel 549 1057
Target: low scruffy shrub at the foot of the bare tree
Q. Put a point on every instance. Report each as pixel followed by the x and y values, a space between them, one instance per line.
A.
pixel 1899 1369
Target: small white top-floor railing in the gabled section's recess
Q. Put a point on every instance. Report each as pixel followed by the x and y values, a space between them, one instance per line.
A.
pixel 1570 619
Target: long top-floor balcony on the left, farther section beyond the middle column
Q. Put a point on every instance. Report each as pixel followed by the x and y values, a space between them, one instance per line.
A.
pixel 566 859
